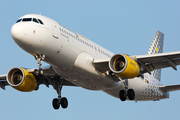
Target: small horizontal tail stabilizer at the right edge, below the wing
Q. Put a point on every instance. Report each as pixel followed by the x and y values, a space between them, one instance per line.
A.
pixel 169 88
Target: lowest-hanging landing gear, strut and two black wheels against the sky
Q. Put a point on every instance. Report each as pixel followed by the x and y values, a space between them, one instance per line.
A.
pixel 60 100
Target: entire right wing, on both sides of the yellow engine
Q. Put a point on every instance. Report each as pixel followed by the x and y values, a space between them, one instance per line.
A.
pixel 147 62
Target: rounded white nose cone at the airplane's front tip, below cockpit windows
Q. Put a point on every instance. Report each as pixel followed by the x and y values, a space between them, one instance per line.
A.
pixel 17 32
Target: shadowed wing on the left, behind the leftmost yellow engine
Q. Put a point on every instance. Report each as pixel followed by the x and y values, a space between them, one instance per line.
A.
pixel 49 78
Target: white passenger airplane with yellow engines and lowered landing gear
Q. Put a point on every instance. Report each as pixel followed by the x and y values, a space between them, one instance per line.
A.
pixel 74 60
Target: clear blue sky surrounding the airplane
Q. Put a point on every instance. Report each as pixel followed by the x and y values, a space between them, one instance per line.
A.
pixel 118 25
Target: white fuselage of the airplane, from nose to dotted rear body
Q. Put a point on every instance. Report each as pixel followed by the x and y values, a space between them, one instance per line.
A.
pixel 71 56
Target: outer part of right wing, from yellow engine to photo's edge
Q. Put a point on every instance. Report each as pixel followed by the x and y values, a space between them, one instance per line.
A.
pixel 158 61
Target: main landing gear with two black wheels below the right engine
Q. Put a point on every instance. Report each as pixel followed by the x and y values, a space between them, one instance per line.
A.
pixel 123 94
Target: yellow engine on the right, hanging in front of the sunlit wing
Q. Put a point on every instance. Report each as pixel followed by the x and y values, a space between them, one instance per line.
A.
pixel 123 66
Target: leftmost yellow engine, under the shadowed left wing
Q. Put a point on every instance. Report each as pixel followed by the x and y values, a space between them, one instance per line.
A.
pixel 21 80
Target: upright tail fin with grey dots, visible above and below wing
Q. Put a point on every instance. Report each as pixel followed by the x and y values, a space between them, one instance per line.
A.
pixel 157 47
